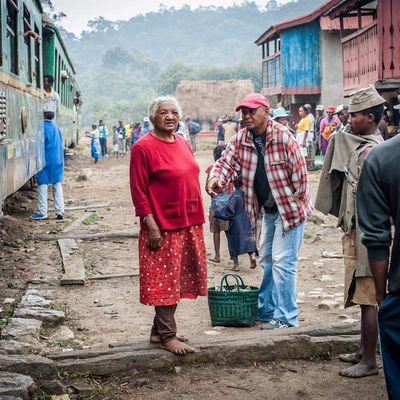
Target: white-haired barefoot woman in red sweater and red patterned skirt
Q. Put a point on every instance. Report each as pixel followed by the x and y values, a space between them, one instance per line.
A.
pixel 166 193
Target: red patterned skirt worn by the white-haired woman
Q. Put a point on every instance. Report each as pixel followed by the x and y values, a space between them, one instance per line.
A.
pixel 176 270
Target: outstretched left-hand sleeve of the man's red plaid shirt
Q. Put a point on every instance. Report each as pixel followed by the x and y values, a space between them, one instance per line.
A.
pixel 229 163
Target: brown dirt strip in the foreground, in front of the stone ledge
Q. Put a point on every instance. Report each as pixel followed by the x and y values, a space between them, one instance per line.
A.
pixel 295 380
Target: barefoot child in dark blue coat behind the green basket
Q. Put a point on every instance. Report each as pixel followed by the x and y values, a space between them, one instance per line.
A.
pixel 240 234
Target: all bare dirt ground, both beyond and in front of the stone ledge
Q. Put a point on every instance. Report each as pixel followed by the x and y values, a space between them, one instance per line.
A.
pixel 108 310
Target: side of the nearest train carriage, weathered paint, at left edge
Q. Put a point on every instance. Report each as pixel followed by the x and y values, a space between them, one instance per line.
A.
pixel 21 107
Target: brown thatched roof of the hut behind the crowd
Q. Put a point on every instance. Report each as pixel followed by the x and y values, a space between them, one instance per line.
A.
pixel 209 100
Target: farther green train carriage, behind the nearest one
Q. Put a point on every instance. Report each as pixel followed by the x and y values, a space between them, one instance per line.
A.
pixel 56 62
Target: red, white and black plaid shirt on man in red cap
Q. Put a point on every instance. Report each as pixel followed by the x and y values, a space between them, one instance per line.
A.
pixel 285 167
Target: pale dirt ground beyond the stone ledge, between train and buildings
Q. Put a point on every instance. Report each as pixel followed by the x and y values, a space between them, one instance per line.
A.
pixel 104 311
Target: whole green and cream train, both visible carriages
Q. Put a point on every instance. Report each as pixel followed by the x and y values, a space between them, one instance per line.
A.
pixel 23 61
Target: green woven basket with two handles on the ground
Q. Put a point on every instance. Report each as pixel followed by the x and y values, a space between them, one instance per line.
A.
pixel 231 305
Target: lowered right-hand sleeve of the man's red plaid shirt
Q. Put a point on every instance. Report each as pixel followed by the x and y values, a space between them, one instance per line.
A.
pixel 298 169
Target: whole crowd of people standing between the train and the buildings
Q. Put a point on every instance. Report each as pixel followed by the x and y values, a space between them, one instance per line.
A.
pixel 259 178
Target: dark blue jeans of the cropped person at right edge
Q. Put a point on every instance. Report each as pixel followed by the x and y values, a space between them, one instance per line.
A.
pixel 389 330
